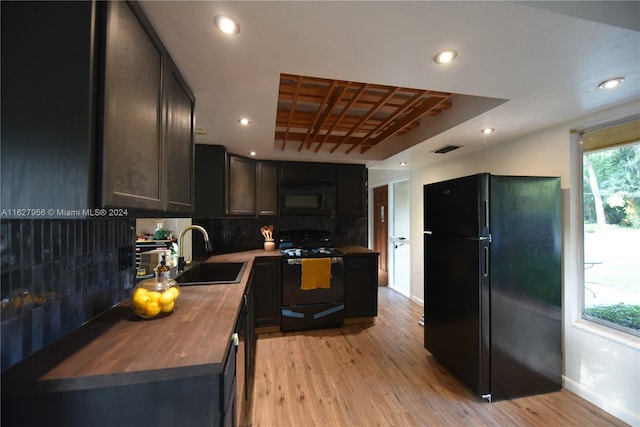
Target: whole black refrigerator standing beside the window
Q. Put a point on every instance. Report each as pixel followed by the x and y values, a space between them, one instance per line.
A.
pixel 493 282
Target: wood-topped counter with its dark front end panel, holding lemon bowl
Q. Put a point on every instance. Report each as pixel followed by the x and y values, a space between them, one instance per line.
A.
pixel 122 370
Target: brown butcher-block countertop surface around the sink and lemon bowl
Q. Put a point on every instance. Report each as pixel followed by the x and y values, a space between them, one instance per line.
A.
pixel 117 347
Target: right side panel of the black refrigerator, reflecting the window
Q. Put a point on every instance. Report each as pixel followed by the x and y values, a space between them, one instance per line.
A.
pixel 526 286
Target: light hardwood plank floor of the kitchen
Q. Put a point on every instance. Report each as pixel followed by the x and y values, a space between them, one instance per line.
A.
pixel 381 375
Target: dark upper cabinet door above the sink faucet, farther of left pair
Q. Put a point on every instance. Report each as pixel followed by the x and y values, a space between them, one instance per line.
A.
pixel 179 143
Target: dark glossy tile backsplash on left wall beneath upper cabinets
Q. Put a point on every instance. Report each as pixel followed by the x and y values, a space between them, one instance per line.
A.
pixel 57 274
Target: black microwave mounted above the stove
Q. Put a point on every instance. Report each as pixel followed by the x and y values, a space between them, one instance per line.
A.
pixel 307 199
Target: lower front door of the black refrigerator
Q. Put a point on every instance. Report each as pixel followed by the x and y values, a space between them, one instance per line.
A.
pixel 456 307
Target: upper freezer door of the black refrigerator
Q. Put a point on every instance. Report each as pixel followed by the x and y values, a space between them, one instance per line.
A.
pixel 457 207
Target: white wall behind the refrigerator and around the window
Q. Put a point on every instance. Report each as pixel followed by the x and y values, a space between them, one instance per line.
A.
pixel 600 365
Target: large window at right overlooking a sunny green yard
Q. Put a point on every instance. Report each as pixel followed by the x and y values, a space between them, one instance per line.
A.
pixel 611 197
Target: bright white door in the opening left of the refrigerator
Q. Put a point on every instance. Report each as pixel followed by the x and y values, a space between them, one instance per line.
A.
pixel 400 254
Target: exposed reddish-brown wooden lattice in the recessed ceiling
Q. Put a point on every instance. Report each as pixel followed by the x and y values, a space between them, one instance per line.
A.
pixel 323 114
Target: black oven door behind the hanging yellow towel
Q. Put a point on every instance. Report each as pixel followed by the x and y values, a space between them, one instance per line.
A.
pixel 292 294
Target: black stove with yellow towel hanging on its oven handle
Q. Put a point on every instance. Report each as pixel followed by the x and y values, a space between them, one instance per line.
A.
pixel 305 307
